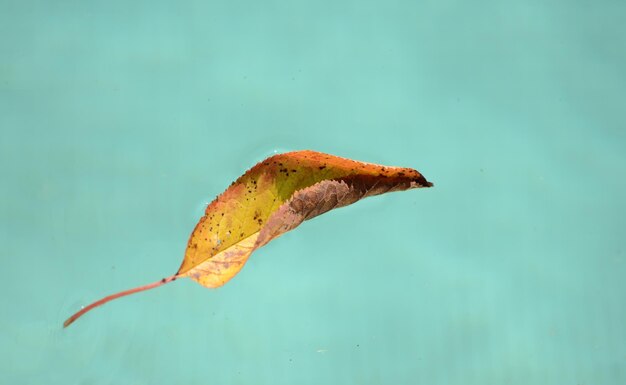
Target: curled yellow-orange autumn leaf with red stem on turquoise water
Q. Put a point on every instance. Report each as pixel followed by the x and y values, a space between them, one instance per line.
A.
pixel 271 198
